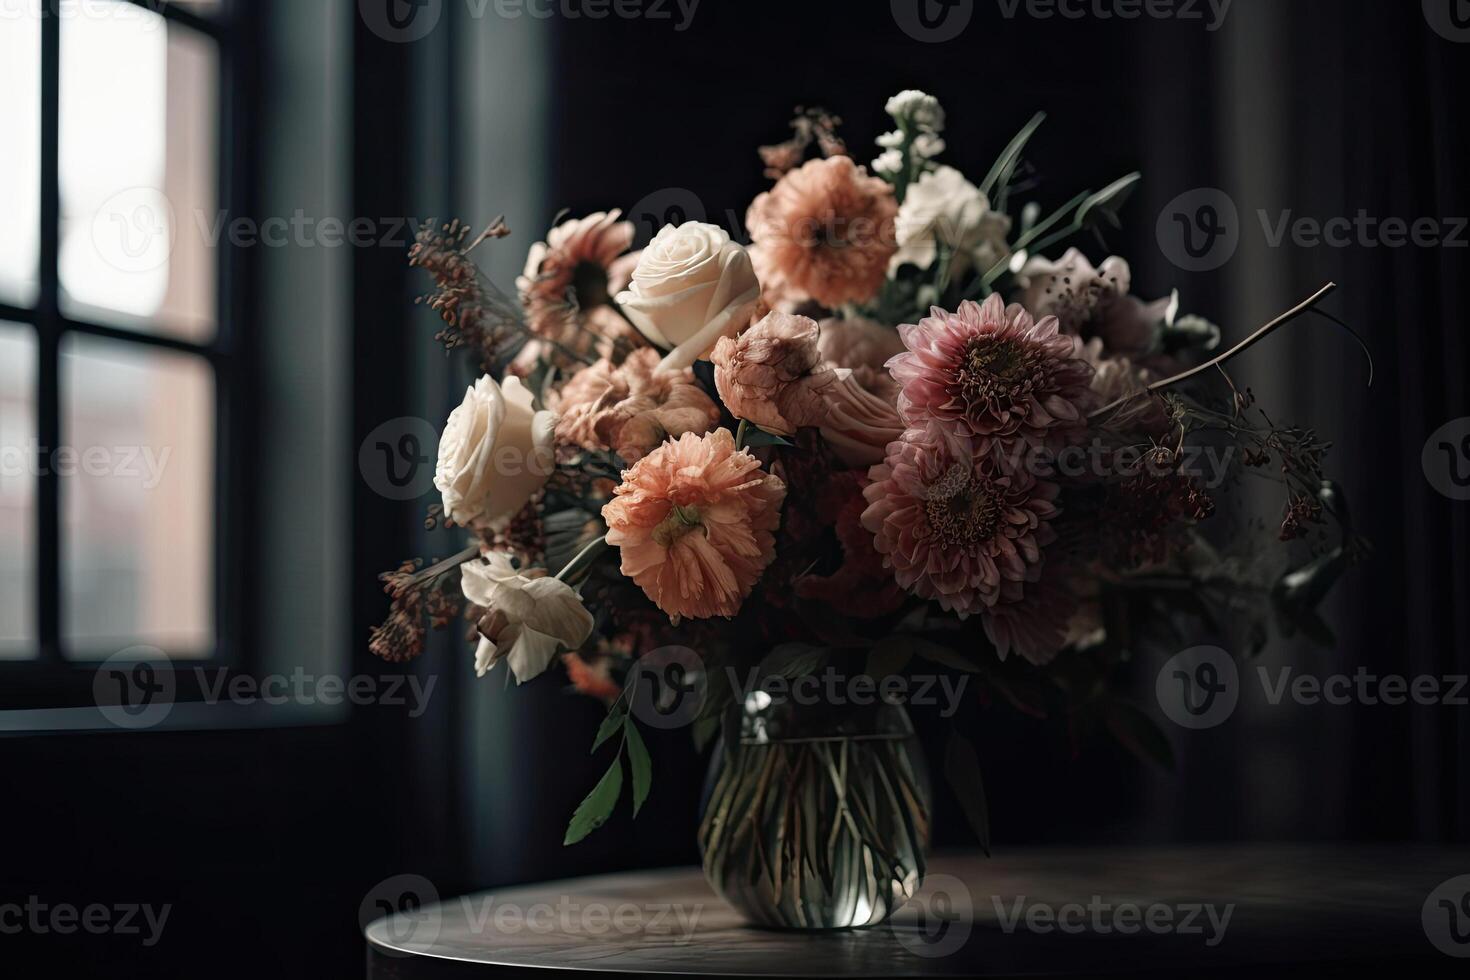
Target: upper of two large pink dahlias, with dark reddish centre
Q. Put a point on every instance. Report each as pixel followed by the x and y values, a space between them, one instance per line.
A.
pixel 993 372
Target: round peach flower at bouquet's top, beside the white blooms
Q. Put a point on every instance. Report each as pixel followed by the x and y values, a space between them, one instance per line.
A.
pixel 825 231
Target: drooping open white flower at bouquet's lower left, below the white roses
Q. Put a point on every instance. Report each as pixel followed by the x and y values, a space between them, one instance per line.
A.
pixel 527 621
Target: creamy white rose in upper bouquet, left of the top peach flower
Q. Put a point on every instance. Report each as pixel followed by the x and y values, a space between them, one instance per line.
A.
pixel 693 286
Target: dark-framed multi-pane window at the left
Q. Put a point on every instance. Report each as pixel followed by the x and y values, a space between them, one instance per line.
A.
pixel 120 345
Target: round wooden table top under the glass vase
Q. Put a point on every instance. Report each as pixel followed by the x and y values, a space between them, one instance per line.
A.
pixel 1177 912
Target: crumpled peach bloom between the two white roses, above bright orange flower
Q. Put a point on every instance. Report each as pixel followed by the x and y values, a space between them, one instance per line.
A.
pixel 633 408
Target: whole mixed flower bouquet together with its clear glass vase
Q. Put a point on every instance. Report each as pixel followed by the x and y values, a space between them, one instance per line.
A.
pixel 777 491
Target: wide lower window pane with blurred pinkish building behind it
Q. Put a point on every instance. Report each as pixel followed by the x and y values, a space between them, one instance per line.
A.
pixel 137 499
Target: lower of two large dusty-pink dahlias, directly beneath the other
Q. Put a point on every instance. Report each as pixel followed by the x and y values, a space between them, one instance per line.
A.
pixel 953 525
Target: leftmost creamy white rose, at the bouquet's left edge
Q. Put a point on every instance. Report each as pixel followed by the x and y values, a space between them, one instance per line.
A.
pixel 496 452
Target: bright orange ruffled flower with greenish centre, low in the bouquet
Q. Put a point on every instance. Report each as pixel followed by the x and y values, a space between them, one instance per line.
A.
pixel 696 522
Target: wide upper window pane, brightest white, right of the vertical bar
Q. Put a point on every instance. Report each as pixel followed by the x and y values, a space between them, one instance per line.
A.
pixel 139 170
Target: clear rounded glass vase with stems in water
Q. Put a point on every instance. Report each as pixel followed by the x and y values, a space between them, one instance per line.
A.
pixel 817 816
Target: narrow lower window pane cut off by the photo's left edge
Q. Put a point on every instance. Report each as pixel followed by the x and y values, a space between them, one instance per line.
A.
pixel 18 462
